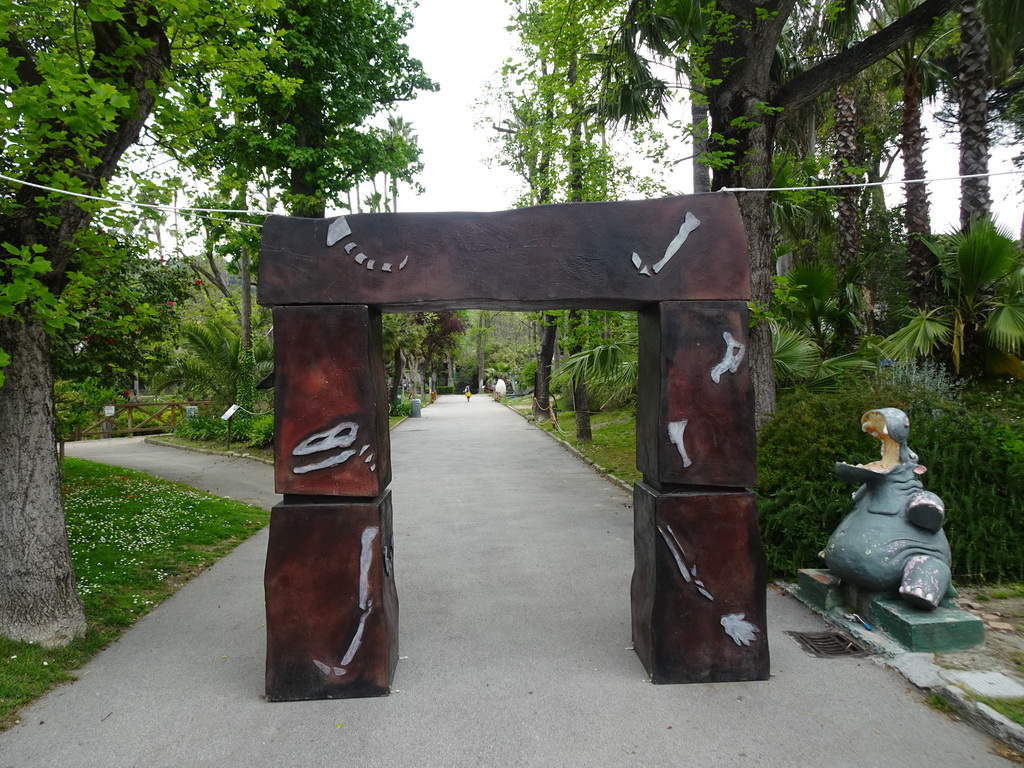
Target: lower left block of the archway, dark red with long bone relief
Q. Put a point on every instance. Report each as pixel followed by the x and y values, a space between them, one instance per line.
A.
pixel 332 609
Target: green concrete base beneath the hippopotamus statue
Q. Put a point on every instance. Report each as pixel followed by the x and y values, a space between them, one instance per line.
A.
pixel 946 629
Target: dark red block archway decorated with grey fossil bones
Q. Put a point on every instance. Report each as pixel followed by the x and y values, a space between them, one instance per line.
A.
pixel 699 585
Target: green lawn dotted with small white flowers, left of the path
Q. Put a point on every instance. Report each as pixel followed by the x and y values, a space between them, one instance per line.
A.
pixel 136 540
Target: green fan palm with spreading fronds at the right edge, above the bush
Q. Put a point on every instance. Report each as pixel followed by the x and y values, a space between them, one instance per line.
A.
pixel 983 281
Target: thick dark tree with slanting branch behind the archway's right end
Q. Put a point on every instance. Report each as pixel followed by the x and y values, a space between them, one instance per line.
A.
pixel 749 99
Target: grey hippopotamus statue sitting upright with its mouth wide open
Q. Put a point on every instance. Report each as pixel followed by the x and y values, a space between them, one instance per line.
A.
pixel 893 538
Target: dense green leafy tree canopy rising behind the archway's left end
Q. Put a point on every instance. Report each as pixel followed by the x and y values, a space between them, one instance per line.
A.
pixel 310 129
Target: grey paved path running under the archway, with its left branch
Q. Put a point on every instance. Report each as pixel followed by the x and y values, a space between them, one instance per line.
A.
pixel 514 563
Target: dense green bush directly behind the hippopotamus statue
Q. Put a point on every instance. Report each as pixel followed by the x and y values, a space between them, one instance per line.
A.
pixel 972 466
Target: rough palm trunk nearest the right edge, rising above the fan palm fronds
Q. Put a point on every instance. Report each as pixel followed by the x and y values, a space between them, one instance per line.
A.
pixel 973 81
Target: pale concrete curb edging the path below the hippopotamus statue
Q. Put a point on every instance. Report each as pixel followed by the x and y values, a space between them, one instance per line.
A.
pixel 922 671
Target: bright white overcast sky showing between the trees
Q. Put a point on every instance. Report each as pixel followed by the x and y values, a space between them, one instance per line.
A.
pixel 463 45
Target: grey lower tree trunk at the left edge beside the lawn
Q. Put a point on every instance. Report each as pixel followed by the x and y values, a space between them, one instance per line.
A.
pixel 38 600
